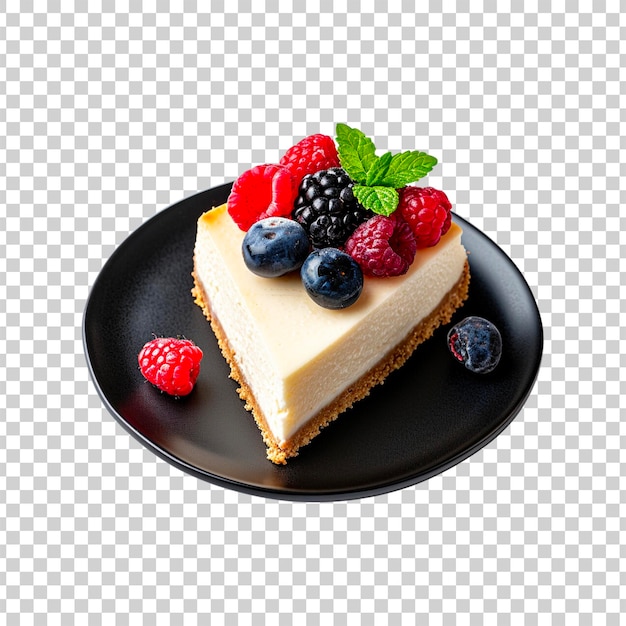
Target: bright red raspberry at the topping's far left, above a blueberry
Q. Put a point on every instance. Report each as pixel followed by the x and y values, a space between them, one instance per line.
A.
pixel 263 191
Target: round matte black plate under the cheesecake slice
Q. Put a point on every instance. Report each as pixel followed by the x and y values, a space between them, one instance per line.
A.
pixel 428 416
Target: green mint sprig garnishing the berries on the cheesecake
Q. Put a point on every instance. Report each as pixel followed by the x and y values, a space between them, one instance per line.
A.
pixel 377 177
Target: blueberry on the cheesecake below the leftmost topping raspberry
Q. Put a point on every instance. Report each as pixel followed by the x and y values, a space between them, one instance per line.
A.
pixel 275 246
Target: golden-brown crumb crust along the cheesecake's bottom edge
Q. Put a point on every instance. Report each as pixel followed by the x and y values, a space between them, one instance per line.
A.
pixel 393 360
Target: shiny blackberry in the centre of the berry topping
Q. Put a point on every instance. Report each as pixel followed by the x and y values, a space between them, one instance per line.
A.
pixel 327 208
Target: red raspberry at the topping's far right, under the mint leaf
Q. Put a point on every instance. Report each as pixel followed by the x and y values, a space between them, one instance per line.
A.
pixel 427 211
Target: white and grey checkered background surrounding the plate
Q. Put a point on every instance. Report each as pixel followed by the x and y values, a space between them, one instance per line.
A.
pixel 109 116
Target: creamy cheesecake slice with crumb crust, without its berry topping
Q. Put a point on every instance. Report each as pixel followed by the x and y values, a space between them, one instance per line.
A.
pixel 299 365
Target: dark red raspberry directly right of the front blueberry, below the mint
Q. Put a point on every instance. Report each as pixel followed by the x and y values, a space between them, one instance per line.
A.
pixel 383 246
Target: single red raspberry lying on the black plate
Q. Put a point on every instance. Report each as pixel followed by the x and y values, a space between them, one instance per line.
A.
pixel 171 364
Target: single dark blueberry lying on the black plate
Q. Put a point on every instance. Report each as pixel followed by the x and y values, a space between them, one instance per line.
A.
pixel 476 343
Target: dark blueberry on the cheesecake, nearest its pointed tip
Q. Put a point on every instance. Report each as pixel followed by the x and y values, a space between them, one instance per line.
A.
pixel 332 278
